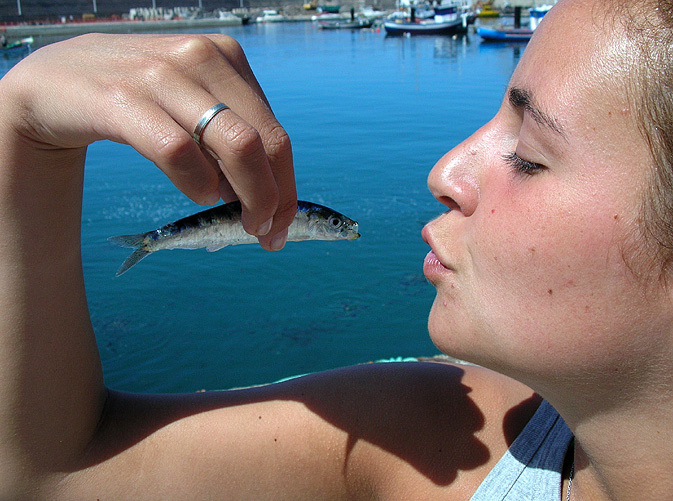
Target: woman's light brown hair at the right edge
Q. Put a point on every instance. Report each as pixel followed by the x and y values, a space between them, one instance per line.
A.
pixel 649 26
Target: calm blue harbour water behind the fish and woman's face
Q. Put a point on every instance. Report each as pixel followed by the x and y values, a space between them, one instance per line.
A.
pixel 368 115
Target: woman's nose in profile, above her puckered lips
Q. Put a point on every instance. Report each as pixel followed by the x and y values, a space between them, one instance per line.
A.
pixel 454 178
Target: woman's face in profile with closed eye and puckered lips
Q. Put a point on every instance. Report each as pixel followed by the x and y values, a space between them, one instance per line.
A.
pixel 539 265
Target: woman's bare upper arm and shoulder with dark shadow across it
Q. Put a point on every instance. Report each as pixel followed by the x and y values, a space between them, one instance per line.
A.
pixel 392 431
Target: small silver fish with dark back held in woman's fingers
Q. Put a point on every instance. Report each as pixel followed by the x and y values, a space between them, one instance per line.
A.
pixel 221 226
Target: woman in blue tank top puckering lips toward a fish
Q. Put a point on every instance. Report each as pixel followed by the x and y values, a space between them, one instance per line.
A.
pixel 551 270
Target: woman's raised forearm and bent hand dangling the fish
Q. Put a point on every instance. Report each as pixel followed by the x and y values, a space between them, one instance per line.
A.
pixel 146 91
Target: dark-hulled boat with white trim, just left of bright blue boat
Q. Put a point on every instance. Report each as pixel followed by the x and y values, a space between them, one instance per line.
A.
pixel 450 17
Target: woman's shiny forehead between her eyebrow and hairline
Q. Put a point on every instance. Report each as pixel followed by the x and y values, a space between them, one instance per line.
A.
pixel 577 67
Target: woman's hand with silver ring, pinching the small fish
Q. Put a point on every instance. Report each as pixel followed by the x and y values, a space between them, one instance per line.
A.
pixel 150 92
